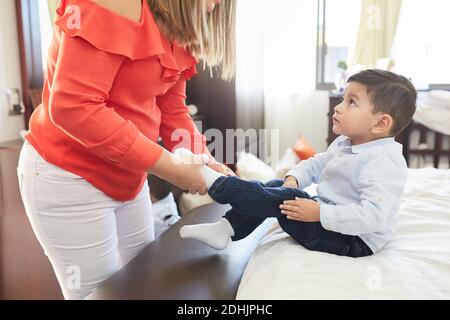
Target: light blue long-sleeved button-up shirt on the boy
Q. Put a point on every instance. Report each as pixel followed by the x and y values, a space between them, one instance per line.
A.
pixel 359 187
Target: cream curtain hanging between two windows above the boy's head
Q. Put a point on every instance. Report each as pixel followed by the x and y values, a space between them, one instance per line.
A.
pixel 376 31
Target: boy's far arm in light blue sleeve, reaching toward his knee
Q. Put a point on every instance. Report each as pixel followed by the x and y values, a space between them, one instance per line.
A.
pixel 307 171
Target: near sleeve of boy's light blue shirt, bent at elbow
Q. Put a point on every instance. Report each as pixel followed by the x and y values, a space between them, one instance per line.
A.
pixel 380 185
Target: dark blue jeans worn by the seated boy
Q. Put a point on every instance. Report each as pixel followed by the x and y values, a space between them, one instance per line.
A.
pixel 252 202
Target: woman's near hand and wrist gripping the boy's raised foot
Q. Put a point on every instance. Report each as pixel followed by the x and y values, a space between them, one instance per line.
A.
pixel 181 171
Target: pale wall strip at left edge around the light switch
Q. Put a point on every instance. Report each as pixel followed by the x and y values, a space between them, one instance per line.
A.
pixel 10 126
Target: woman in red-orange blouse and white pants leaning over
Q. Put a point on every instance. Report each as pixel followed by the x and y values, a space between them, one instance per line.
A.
pixel 116 81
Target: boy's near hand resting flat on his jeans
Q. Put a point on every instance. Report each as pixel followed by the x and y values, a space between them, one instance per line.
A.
pixel 304 210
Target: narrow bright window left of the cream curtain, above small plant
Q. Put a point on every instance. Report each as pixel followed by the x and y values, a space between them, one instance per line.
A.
pixel 337 30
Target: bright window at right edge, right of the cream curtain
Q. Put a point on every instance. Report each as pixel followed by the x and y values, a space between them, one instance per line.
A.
pixel 421 48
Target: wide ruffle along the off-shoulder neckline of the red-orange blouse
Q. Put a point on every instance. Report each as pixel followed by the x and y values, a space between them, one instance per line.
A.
pixel 112 33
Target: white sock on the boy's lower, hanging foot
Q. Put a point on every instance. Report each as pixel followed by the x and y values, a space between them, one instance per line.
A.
pixel 216 235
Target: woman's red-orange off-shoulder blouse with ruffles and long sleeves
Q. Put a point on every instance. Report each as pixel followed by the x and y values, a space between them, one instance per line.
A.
pixel 113 87
